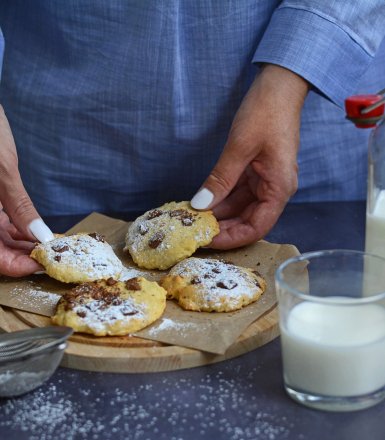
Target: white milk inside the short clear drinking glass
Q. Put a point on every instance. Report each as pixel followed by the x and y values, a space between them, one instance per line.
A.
pixel 334 350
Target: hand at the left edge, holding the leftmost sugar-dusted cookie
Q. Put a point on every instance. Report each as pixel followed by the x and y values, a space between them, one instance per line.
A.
pixel 20 224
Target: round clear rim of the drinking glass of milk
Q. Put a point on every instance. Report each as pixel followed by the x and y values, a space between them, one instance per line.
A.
pixel 343 301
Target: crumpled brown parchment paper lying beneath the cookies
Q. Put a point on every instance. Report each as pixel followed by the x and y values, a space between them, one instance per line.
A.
pixel 211 332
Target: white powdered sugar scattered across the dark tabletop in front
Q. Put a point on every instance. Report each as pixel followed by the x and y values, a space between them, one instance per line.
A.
pixel 205 407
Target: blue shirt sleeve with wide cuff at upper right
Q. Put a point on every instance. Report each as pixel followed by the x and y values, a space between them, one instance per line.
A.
pixel 329 43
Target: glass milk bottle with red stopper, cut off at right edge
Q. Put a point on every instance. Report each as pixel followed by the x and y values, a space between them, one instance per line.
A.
pixel 375 203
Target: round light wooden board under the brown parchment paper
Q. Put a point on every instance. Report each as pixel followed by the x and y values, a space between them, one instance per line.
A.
pixel 136 355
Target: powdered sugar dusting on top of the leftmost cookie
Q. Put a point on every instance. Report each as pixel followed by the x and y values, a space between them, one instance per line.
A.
pixel 85 254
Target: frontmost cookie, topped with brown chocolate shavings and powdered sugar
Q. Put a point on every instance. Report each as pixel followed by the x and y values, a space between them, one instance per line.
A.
pixel 110 307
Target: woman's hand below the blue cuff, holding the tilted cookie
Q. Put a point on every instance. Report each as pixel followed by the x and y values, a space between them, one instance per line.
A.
pixel 257 172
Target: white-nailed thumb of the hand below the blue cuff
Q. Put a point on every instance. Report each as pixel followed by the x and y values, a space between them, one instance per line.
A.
pixel 222 179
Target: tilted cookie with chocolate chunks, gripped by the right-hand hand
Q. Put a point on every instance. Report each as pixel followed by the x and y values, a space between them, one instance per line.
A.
pixel 164 236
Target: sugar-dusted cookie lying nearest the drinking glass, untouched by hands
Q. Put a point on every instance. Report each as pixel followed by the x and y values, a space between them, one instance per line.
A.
pixel 208 285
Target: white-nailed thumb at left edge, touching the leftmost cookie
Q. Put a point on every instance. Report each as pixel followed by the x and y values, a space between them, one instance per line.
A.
pixel 20 210
